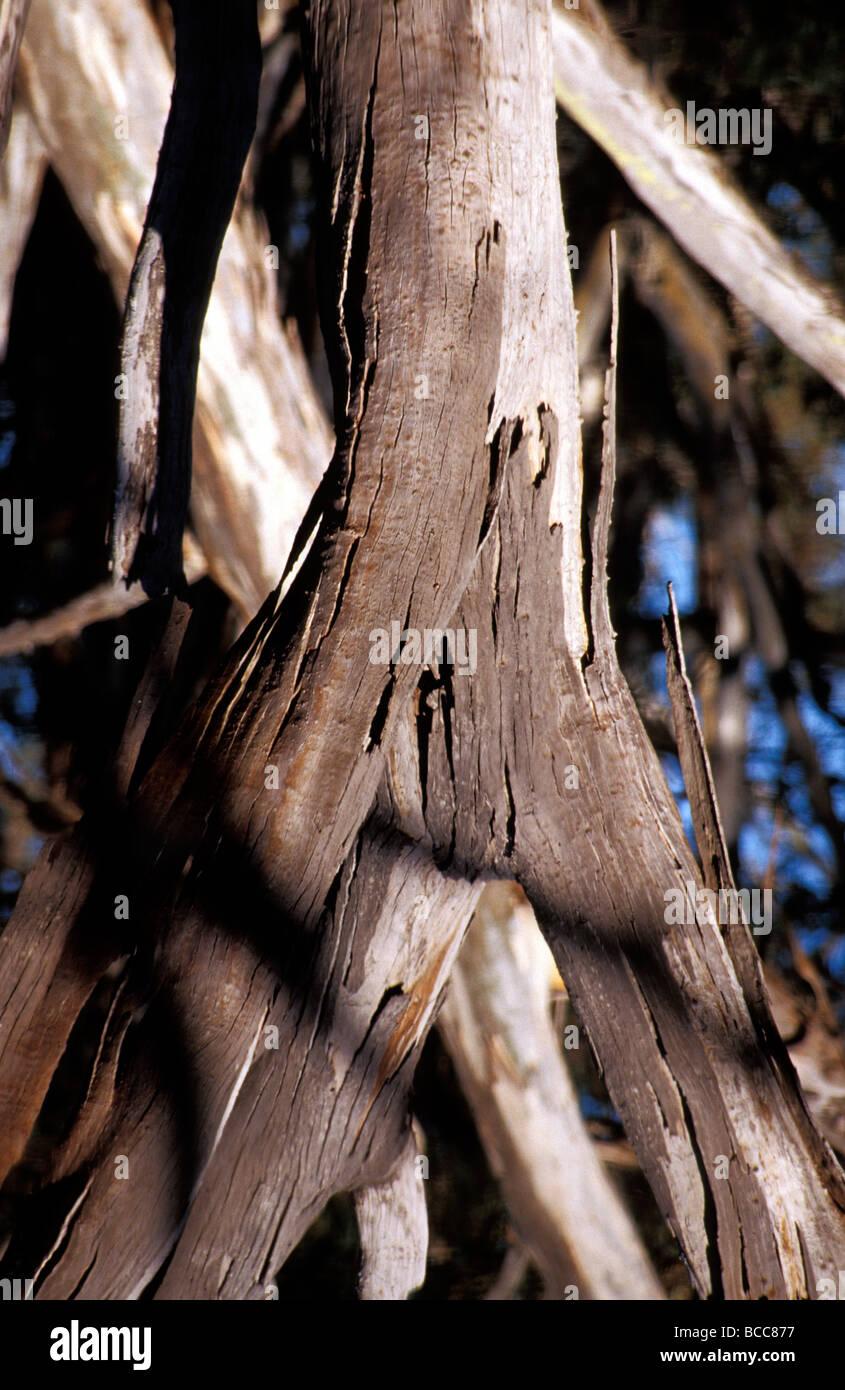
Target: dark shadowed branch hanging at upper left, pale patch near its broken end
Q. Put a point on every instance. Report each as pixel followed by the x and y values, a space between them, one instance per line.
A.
pixel 206 141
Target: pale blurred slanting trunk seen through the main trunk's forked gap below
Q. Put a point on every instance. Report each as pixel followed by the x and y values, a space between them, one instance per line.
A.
pixel 497 1025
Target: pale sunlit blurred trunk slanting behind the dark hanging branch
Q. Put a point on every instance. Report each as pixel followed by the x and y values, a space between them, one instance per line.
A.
pixel 97 81
